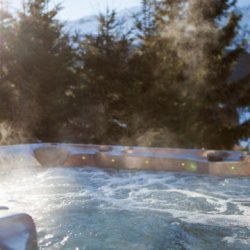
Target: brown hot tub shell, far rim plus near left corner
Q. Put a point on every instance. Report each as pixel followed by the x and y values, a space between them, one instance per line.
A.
pixel 17 230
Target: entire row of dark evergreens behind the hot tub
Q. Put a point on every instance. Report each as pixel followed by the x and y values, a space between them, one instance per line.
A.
pixel 164 82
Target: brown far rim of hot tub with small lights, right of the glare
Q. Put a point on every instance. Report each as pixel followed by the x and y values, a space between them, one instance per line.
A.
pixel 233 163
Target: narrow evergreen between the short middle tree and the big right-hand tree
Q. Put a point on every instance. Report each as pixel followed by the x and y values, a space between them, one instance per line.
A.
pixel 157 77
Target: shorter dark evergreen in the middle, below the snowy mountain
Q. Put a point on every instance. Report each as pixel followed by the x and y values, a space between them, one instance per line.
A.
pixel 106 81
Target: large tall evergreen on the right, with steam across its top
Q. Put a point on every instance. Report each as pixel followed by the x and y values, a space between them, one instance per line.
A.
pixel 208 114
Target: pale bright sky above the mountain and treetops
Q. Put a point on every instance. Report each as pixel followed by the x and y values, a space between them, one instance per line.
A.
pixel 75 9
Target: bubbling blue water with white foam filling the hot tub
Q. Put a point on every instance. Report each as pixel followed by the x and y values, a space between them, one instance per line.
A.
pixel 89 208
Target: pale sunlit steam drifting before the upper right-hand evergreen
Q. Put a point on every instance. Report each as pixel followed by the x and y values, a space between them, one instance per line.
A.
pixel 193 34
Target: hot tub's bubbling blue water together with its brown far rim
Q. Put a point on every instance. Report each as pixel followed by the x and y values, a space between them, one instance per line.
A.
pixel 178 199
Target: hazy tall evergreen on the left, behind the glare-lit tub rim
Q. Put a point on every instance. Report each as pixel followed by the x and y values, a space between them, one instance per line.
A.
pixel 44 70
